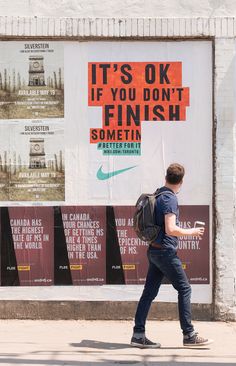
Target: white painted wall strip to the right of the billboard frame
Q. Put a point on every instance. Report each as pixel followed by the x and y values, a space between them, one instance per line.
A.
pixel 225 245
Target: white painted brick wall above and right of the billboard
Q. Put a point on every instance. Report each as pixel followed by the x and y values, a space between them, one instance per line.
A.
pixel 221 30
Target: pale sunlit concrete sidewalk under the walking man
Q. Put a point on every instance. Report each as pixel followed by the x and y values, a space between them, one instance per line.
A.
pixel 38 342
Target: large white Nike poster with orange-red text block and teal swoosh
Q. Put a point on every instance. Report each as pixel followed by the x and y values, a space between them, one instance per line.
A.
pixel 136 107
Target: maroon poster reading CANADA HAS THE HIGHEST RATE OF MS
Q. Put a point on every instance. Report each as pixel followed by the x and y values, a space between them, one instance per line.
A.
pixel 33 237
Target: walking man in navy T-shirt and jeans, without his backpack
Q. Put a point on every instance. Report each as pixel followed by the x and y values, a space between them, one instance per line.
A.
pixel 164 262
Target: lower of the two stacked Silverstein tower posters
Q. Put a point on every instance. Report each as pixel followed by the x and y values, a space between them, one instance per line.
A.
pixel 37 170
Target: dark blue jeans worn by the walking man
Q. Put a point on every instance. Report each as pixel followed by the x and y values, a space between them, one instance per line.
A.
pixel 164 262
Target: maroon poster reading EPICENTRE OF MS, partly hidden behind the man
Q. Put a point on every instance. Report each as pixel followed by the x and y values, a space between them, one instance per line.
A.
pixel 133 250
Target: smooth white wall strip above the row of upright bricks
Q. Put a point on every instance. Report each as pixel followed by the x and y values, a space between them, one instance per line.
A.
pixel 118 9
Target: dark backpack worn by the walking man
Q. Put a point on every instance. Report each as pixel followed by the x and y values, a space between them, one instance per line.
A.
pixel 144 216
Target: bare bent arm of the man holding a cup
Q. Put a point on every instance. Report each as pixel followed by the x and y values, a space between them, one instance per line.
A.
pixel 172 229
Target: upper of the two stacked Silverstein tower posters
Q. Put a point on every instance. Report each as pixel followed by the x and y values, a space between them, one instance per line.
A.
pixel 31 80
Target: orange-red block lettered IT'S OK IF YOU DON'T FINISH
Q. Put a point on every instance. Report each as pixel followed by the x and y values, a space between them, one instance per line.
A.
pixel 133 92
